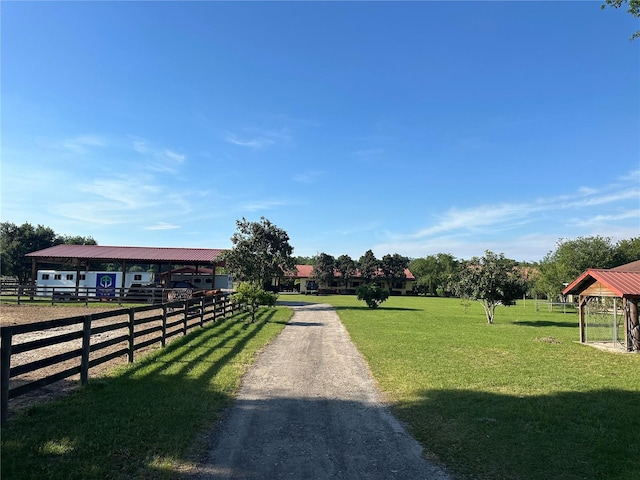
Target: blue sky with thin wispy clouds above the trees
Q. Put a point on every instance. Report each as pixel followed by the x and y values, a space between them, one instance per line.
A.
pixel 414 128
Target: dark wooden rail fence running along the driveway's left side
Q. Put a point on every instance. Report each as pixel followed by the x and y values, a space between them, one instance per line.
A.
pixel 126 330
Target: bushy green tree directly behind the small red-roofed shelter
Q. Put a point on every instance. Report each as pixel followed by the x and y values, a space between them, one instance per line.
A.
pixel 570 259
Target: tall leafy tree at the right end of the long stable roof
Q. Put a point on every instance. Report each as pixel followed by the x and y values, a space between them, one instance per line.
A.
pixel 261 252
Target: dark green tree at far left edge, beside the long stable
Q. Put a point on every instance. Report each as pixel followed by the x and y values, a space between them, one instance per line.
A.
pixel 17 241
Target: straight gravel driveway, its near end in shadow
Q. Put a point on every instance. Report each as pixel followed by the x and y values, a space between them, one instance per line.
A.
pixel 309 409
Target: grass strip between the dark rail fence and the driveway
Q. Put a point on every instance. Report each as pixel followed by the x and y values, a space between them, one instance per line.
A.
pixel 146 419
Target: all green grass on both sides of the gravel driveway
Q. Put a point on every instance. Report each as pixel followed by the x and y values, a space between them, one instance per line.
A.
pixel 520 399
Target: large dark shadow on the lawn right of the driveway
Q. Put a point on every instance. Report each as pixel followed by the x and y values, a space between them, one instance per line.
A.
pixel 569 435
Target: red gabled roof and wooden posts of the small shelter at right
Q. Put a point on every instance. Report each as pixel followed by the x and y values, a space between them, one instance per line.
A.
pixel 621 282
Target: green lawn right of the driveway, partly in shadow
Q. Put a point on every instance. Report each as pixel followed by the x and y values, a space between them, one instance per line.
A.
pixel 519 399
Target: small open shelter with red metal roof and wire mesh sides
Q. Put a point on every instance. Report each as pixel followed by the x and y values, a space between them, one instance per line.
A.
pixel 621 287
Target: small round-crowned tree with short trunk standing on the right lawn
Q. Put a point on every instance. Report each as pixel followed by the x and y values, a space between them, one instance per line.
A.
pixel 492 280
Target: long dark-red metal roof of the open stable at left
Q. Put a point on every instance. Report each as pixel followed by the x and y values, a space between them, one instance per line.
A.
pixel 143 254
